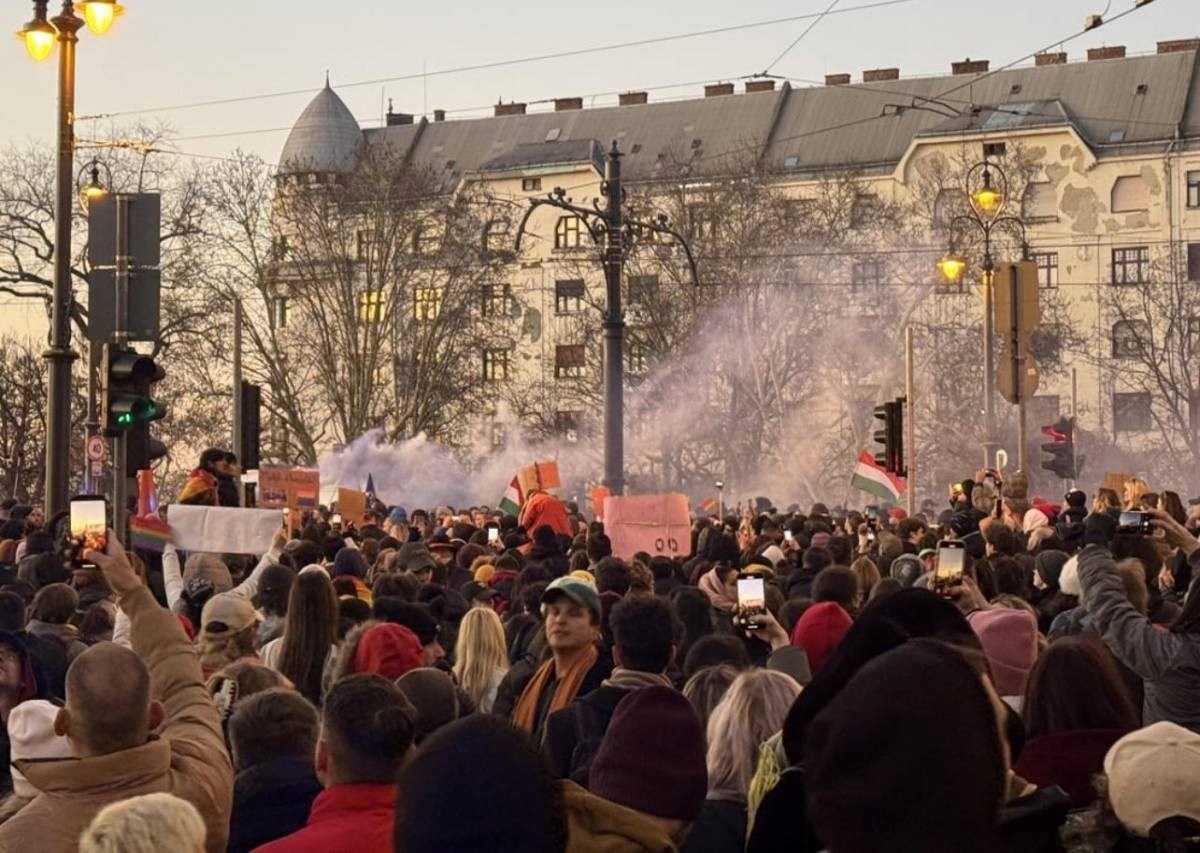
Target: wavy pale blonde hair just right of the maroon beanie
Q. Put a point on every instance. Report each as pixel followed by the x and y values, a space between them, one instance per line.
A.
pixel 753 711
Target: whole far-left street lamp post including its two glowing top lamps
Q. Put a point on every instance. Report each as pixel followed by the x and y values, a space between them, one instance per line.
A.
pixel 40 37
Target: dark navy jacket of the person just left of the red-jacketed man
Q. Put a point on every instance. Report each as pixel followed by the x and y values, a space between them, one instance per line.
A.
pixel 271 801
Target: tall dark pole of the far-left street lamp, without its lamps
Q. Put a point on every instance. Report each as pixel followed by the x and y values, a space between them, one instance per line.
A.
pixel 59 355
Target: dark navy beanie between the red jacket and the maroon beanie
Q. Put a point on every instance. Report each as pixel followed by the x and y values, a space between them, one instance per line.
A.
pixel 499 784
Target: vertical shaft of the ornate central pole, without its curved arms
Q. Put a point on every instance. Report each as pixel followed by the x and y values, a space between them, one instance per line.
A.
pixel 614 329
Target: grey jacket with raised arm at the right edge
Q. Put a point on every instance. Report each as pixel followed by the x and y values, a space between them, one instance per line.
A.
pixel 1169 663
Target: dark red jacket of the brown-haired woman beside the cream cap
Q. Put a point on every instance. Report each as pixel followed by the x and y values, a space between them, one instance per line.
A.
pixel 1070 760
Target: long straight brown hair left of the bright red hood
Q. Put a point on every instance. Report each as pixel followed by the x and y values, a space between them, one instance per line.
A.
pixel 309 633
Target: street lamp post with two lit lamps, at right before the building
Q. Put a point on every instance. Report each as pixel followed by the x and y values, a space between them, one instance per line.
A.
pixel 987 190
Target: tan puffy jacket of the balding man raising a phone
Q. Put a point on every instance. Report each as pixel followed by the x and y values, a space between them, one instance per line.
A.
pixel 187 759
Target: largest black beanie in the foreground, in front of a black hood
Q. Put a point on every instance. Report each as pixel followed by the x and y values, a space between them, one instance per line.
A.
pixel 917 712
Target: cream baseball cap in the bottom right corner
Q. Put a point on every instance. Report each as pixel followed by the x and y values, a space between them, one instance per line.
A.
pixel 1154 774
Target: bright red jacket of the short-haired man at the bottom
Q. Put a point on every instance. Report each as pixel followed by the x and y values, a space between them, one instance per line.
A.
pixel 345 819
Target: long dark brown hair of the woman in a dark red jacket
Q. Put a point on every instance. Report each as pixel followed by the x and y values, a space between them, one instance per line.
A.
pixel 1076 686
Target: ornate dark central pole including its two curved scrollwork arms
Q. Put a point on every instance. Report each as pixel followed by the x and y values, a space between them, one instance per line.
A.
pixel 616 236
